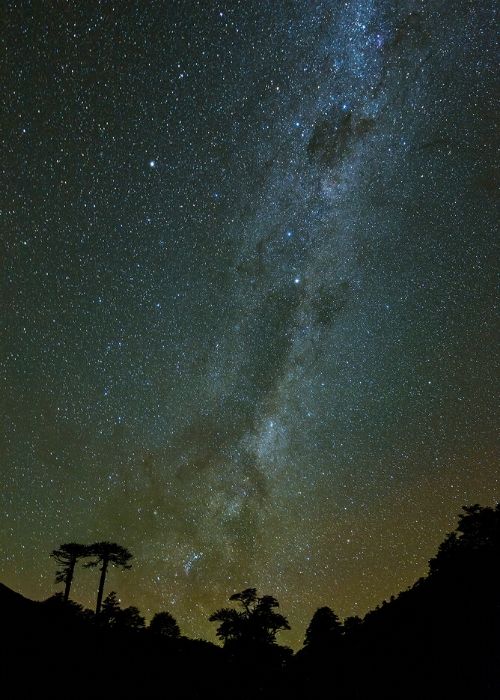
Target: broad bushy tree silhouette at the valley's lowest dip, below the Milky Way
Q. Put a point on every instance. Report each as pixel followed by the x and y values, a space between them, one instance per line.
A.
pixel 256 623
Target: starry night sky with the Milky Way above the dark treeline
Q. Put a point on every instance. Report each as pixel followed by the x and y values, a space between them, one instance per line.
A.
pixel 248 295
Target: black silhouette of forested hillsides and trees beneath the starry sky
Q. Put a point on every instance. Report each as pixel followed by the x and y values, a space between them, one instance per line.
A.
pixel 438 639
